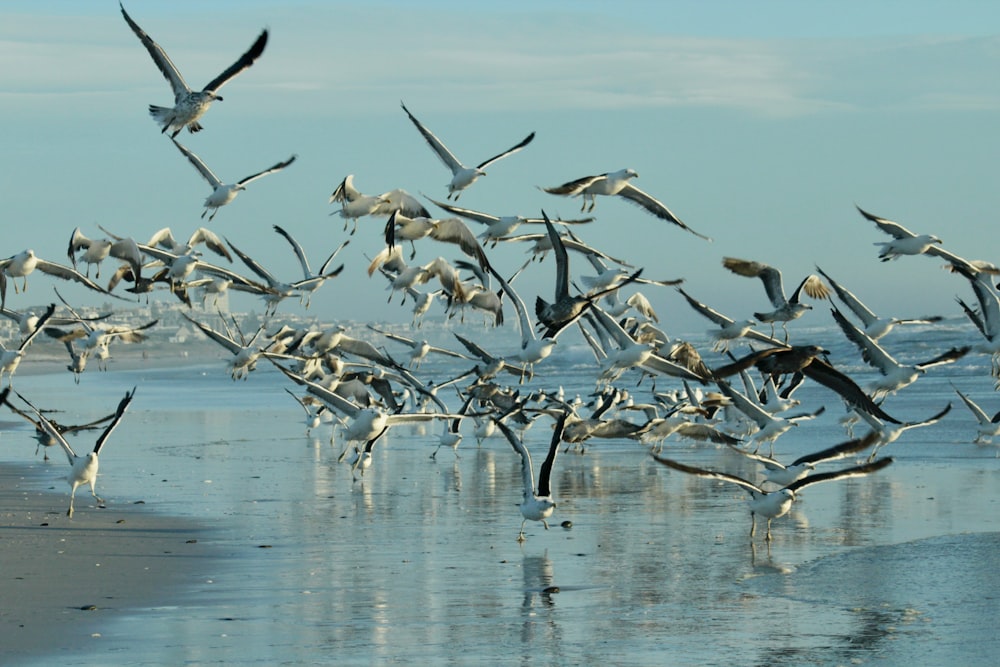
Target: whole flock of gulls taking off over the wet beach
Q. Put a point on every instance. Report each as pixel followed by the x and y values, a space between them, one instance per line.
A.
pixel 739 401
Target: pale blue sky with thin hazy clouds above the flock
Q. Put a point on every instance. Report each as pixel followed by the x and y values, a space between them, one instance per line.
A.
pixel 761 125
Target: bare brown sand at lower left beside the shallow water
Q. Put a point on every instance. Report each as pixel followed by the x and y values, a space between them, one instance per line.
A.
pixel 61 583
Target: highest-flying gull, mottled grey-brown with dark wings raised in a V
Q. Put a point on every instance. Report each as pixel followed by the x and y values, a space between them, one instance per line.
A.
pixel 189 105
